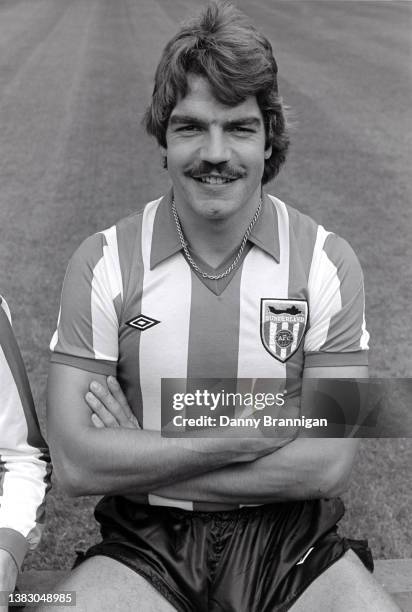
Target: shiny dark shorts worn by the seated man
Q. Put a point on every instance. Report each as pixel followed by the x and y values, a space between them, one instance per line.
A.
pixel 256 559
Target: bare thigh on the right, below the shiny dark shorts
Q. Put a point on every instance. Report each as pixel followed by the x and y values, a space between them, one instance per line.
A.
pixel 346 585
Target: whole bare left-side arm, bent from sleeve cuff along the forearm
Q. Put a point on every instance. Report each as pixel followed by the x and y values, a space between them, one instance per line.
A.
pixel 90 461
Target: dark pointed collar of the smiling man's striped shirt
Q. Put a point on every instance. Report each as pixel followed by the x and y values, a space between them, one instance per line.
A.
pixel 166 242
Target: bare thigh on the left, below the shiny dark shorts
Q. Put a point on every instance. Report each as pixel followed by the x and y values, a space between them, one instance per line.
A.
pixel 105 585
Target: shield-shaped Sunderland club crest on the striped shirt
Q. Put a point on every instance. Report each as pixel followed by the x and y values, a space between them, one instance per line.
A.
pixel 282 325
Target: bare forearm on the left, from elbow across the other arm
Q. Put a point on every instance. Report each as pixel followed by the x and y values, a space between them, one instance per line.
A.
pixel 102 461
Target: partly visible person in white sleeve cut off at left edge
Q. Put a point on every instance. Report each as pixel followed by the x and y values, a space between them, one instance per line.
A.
pixel 24 460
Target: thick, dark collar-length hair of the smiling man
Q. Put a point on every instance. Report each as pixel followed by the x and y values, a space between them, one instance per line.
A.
pixel 222 45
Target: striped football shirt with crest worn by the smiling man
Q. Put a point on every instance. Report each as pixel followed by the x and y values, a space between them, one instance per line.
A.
pixel 133 307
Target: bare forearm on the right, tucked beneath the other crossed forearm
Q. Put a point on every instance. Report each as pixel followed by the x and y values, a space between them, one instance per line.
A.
pixel 303 469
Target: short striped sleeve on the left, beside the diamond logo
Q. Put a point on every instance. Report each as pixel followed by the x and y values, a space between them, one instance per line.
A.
pixel 87 329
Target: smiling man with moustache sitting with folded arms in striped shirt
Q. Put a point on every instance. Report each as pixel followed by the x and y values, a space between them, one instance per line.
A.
pixel 192 288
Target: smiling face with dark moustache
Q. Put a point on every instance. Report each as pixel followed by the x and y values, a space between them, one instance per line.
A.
pixel 215 153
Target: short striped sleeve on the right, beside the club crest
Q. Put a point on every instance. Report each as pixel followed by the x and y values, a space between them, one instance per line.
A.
pixel 337 334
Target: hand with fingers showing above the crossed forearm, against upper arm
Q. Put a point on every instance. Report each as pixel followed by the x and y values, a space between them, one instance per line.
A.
pixel 109 406
